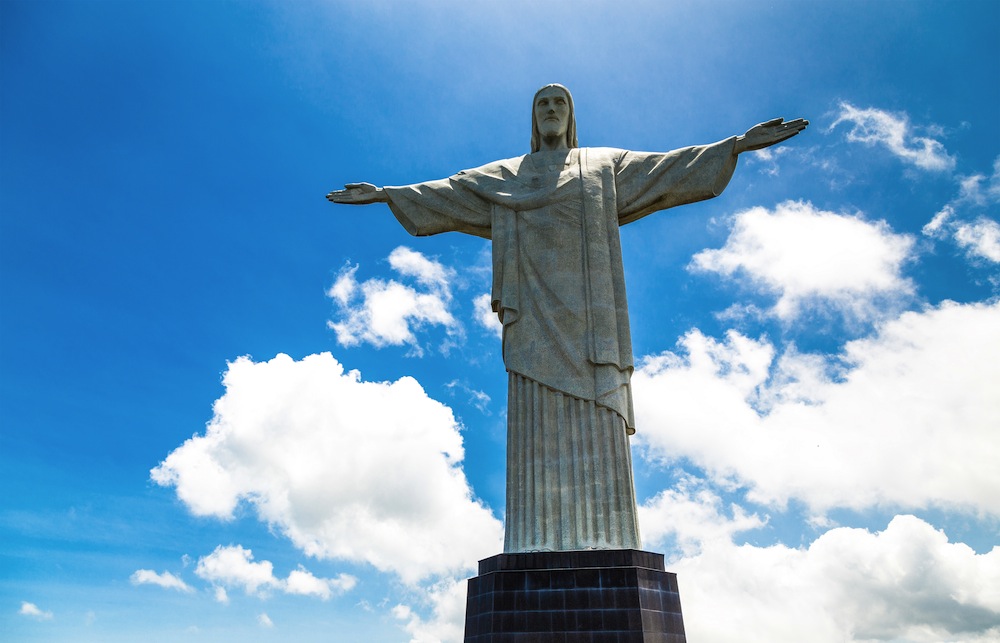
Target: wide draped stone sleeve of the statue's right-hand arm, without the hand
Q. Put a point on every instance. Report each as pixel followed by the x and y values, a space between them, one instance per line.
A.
pixel 647 182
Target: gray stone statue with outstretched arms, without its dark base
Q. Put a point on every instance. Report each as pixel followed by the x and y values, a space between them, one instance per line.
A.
pixel 559 291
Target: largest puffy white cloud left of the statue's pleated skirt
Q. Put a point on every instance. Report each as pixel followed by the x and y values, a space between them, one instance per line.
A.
pixel 364 471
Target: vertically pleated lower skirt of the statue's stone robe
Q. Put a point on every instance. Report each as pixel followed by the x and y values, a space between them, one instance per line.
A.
pixel 569 476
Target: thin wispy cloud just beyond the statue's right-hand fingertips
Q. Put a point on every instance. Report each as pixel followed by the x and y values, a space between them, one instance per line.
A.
pixel 893 131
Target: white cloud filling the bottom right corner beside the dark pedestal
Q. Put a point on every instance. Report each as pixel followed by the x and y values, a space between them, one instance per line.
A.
pixel 906 583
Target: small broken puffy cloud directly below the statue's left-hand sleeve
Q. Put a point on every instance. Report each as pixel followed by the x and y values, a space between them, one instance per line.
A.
pixel 388 313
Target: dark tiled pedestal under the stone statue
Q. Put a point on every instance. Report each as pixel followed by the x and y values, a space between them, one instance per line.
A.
pixel 595 596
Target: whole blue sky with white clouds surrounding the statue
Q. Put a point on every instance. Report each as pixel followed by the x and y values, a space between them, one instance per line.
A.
pixel 233 411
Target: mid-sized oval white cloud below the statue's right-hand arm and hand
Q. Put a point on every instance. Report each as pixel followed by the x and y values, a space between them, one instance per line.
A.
pixel 811 257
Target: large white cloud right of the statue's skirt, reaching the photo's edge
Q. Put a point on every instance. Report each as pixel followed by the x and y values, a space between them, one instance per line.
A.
pixel 908 416
